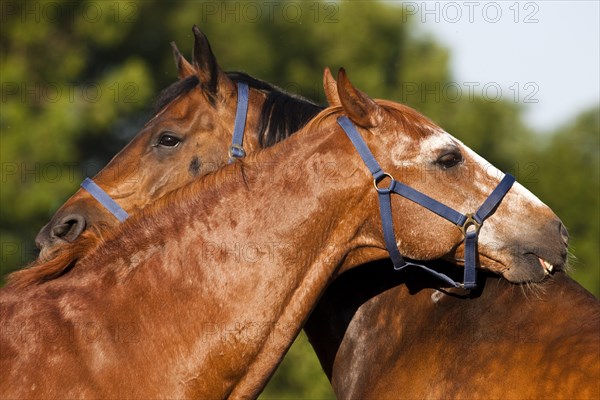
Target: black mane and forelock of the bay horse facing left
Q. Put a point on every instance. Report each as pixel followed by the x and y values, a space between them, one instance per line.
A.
pixel 282 114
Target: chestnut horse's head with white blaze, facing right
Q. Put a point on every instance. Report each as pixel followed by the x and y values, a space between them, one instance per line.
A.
pixel 522 239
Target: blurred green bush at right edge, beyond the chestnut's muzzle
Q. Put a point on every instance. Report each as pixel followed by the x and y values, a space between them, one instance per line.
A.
pixel 565 171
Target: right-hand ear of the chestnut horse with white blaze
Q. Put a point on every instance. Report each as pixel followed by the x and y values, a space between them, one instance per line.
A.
pixel 359 107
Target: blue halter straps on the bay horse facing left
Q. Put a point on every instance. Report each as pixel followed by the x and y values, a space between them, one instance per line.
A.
pixel 235 151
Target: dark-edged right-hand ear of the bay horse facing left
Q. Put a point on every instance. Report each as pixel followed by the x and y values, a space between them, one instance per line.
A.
pixel 212 78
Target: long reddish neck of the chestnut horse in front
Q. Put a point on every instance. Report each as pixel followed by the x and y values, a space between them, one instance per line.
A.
pixel 188 267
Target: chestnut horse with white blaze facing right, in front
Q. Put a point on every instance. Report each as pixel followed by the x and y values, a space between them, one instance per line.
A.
pixel 249 252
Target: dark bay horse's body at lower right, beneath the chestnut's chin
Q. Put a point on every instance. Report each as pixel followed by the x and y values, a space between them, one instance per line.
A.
pixel 379 334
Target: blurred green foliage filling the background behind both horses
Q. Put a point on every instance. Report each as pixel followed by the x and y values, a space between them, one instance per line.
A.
pixel 78 78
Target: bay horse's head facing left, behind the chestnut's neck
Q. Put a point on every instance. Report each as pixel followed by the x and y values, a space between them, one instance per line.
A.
pixel 188 137
